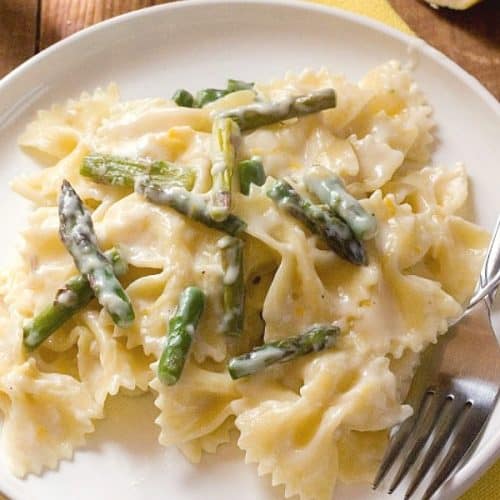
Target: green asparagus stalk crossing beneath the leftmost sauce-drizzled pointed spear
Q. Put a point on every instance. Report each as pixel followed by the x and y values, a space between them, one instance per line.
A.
pixel 70 299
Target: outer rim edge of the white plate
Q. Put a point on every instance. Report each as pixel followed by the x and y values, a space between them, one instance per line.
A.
pixel 470 472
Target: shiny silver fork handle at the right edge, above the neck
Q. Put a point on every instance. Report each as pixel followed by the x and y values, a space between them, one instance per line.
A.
pixel 488 284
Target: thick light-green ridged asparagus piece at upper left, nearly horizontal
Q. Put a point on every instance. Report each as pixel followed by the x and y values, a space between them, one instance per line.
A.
pixel 118 171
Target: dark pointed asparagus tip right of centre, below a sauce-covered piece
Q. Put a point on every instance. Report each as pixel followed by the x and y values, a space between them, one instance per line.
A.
pixel 321 221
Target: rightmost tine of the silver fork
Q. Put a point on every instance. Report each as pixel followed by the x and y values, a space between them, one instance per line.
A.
pixel 470 427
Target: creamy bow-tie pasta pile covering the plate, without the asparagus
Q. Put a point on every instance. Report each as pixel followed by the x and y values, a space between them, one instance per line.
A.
pixel 308 422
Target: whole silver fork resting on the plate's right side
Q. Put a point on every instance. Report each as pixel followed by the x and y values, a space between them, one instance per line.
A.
pixel 453 392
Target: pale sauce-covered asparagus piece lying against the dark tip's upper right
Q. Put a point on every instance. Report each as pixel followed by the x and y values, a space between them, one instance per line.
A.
pixel 331 190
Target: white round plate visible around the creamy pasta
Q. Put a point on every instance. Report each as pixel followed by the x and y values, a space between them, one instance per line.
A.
pixel 196 44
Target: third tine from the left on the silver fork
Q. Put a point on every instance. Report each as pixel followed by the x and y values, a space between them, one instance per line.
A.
pixel 444 428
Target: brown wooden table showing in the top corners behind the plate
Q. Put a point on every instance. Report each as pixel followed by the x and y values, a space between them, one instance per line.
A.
pixel 471 38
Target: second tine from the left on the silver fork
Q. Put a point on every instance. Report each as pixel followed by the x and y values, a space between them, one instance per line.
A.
pixel 423 428
